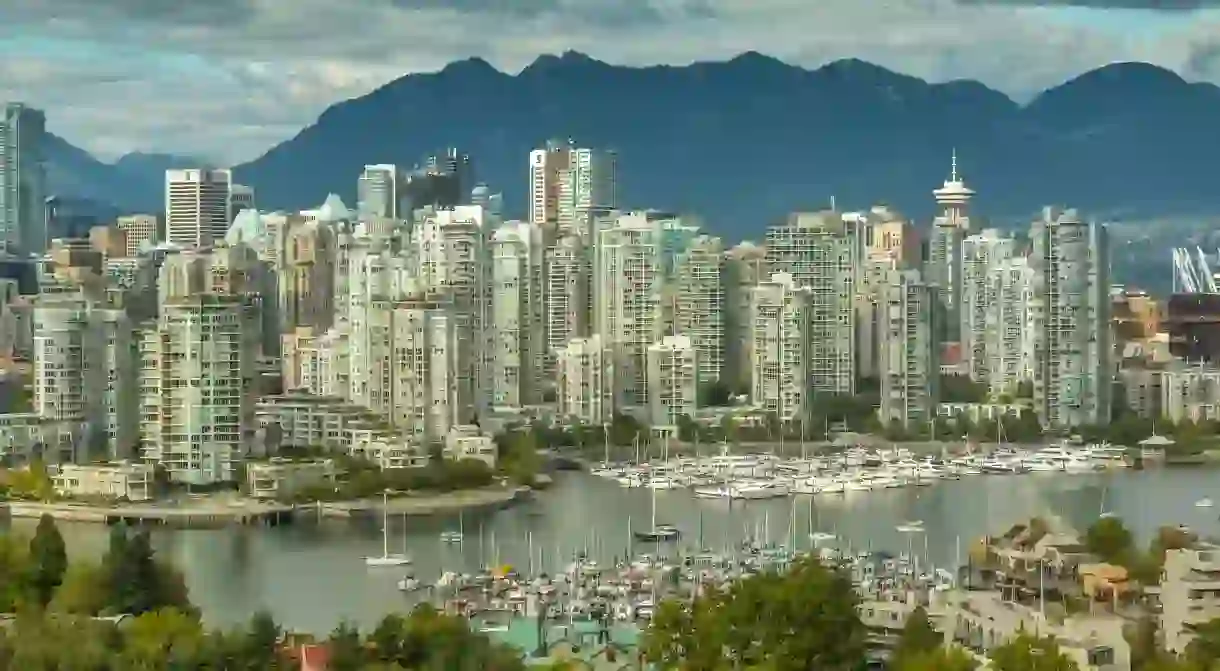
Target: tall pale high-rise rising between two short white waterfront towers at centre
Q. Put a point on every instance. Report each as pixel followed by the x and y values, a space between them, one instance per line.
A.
pixel 628 302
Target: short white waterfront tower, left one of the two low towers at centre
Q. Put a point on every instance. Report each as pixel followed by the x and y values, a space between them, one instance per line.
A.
pixel 585 379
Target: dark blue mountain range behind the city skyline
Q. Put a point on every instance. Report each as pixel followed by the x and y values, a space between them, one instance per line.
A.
pixel 745 141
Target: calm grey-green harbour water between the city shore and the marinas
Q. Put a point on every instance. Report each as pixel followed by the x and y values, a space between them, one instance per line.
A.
pixel 313 576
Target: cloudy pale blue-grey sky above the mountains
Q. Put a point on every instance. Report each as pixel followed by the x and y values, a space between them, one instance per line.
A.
pixel 229 79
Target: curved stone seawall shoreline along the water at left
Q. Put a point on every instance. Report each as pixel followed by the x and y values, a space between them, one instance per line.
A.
pixel 218 513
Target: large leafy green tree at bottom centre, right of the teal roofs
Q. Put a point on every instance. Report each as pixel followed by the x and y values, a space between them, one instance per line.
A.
pixel 752 623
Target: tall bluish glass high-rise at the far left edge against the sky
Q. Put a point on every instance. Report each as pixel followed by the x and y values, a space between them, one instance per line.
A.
pixel 23 181
